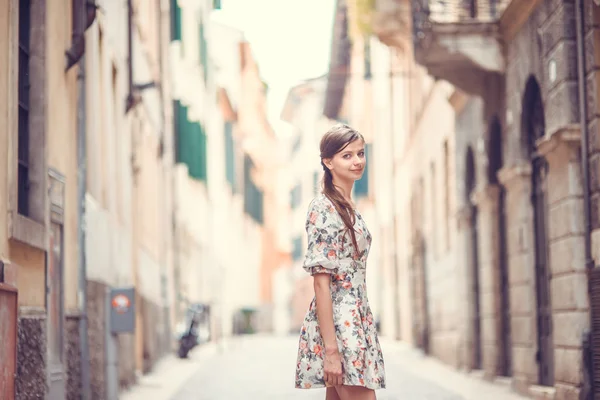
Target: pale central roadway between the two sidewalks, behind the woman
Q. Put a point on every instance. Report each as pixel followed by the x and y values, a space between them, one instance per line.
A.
pixel 263 368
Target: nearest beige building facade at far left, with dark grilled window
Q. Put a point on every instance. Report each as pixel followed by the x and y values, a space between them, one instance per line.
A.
pixel 39 213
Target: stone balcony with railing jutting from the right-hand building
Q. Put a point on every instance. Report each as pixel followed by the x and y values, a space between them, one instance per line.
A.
pixel 459 40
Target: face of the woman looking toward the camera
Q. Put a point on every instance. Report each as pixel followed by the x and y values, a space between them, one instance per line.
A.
pixel 348 165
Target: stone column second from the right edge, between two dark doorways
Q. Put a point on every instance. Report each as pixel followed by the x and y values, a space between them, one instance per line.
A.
pixel 521 264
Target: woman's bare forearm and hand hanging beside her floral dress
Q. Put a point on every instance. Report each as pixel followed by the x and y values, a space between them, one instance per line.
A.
pixel 332 360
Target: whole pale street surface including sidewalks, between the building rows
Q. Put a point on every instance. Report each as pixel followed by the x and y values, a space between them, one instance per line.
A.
pixel 262 367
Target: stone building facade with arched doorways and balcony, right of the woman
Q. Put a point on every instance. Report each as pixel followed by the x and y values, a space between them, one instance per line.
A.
pixel 500 251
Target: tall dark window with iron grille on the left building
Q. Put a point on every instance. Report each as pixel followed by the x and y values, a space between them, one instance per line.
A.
pixel 23 96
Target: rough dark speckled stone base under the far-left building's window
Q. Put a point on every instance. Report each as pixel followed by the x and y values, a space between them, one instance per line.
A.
pixel 31 382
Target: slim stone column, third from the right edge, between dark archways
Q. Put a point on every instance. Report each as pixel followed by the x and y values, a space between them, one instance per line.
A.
pixel 487 201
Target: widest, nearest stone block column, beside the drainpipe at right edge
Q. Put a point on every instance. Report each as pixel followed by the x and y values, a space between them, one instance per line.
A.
pixel 568 282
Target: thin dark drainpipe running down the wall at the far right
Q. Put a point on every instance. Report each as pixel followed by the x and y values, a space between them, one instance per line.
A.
pixel 589 261
